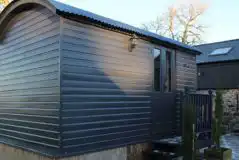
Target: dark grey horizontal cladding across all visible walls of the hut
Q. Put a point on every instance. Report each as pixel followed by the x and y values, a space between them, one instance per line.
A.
pixel 104 92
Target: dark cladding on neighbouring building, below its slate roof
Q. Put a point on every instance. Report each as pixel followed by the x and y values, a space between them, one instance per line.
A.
pixel 222 75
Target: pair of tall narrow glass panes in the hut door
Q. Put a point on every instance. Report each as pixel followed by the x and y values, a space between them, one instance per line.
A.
pixel 162 70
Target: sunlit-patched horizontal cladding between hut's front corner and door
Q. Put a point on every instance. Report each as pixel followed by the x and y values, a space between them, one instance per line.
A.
pixel 105 89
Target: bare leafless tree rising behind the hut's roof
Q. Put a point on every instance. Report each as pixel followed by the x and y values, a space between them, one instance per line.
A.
pixel 181 23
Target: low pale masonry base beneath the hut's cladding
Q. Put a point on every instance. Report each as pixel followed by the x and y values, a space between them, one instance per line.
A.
pixel 132 152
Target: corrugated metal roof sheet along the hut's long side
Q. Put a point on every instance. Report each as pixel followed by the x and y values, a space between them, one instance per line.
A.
pixel 76 11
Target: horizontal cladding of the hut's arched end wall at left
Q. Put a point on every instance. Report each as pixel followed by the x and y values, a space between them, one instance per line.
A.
pixel 29 81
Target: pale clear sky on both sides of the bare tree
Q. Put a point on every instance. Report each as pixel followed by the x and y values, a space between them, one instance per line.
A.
pixel 221 17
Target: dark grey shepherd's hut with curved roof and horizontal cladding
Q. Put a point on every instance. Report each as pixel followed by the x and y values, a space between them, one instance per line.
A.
pixel 73 82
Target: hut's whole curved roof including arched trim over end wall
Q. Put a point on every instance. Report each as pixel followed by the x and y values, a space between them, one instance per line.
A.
pixel 68 11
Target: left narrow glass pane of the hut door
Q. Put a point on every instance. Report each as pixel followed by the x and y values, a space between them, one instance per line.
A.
pixel 157 69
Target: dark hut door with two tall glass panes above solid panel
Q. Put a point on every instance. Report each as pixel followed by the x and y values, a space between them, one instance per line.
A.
pixel 163 99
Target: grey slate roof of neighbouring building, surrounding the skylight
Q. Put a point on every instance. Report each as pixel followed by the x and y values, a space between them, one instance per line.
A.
pixel 206 49
